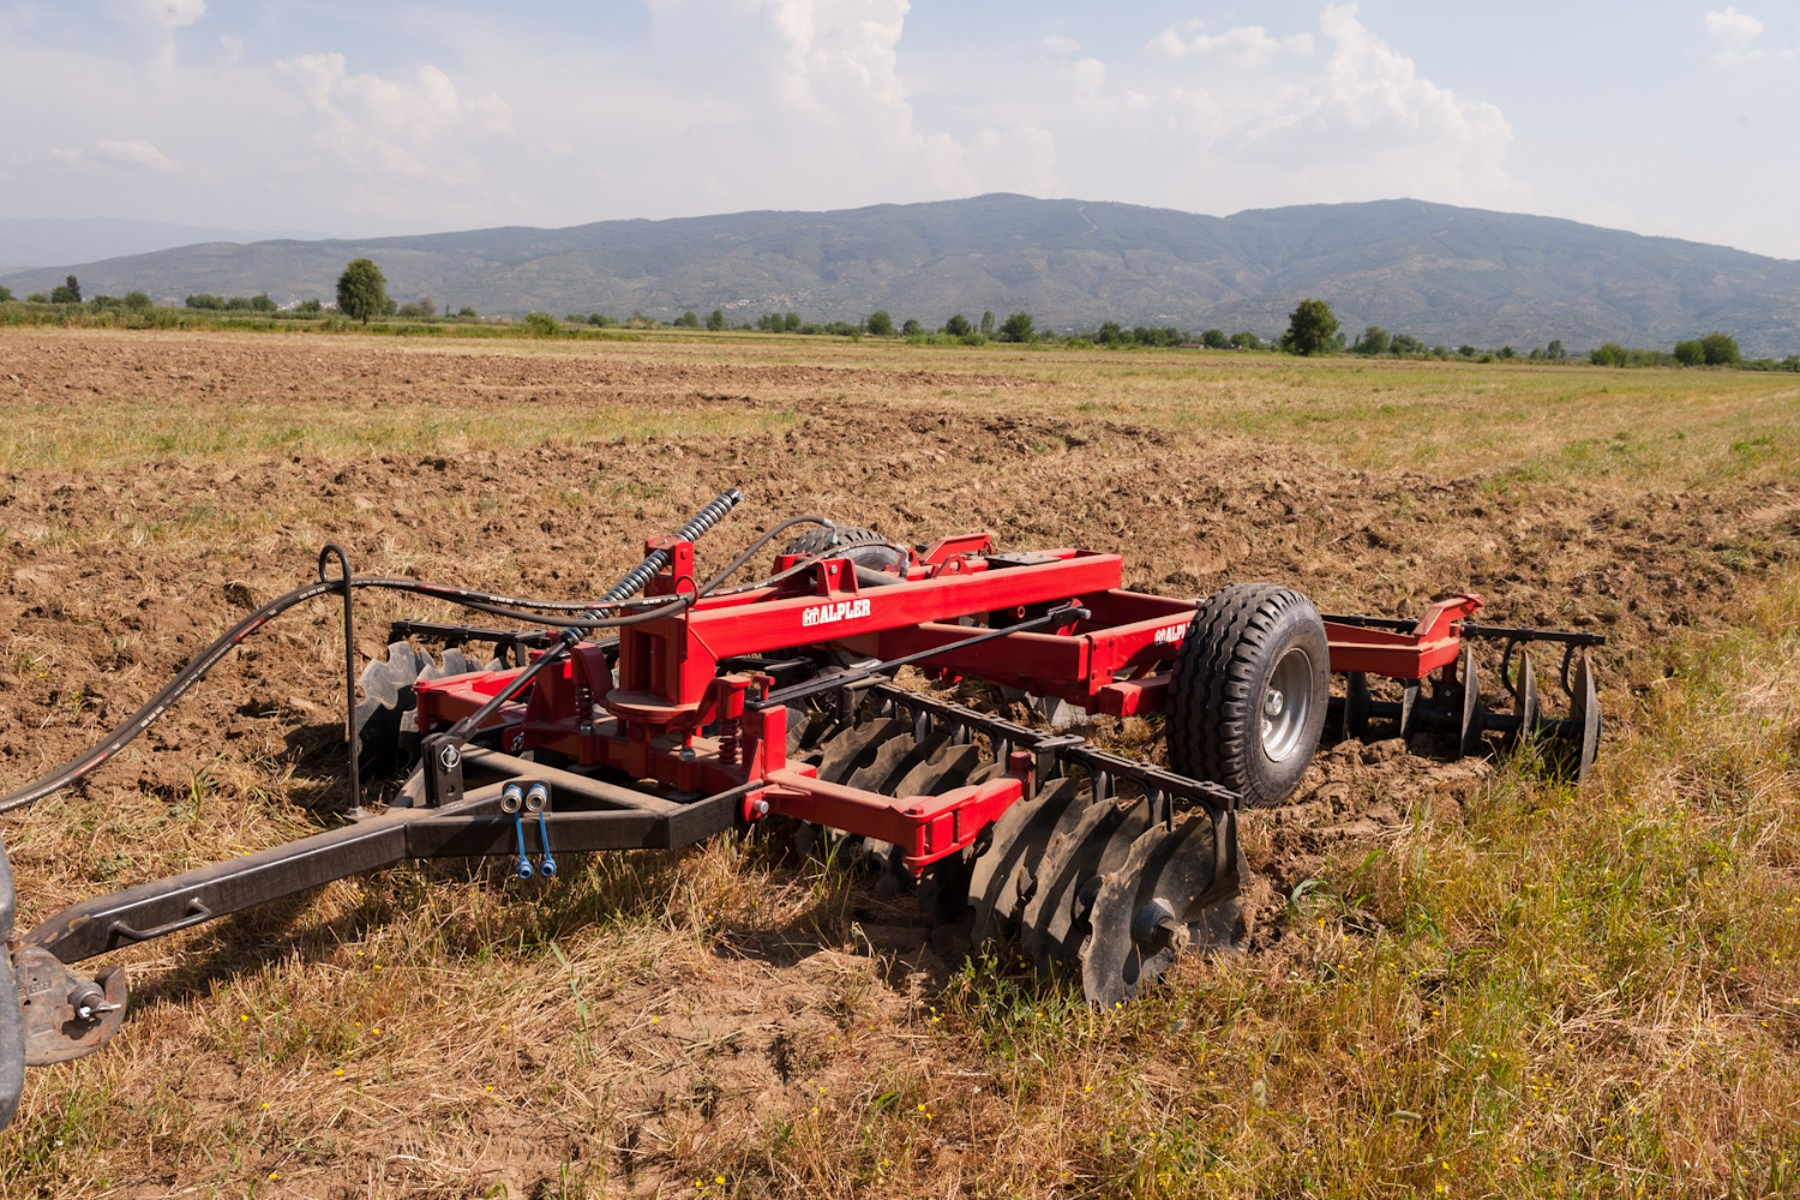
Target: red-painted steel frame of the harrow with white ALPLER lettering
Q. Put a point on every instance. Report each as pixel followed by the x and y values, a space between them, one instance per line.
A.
pixel 647 717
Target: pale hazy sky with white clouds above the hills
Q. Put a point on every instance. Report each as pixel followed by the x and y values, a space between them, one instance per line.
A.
pixel 355 120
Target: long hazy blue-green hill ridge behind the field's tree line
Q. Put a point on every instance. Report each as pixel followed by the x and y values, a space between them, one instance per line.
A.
pixel 1439 273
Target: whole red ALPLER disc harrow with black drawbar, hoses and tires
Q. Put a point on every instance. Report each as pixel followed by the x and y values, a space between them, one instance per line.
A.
pixel 674 708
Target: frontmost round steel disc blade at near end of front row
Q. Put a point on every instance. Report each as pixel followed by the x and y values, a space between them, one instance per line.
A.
pixel 1169 895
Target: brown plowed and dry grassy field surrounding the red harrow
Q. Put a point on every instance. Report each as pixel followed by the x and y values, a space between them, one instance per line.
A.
pixel 728 1025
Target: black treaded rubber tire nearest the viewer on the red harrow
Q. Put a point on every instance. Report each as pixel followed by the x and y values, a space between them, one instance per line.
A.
pixel 1223 672
